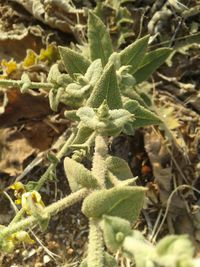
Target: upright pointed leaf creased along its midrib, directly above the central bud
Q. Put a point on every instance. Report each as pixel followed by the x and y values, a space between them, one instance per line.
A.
pixel 106 89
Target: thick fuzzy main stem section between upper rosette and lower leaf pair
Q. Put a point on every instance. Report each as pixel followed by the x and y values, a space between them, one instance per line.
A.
pixel 99 167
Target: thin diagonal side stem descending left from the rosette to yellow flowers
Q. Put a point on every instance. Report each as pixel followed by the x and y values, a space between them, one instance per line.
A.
pixel 45 176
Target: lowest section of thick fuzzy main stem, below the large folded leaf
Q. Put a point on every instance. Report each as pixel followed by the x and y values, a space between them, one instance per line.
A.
pixel 95 247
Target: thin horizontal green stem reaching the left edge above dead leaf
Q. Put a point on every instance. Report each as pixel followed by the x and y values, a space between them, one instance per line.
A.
pixel 19 83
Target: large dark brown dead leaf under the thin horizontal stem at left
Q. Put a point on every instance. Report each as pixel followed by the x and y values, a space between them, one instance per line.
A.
pixel 30 114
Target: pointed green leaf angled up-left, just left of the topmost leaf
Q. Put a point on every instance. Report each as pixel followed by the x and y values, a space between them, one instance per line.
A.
pixel 73 61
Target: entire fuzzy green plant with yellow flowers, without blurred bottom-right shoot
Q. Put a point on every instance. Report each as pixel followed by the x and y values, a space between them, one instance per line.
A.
pixel 101 92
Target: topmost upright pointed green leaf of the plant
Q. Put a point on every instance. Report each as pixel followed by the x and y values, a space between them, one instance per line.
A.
pixel 99 39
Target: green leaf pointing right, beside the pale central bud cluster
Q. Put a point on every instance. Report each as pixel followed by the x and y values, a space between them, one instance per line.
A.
pixel 143 116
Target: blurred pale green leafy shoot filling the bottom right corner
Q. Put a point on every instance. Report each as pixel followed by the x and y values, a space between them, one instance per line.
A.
pixel 170 251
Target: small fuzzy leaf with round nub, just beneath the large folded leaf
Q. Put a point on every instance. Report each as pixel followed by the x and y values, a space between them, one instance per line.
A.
pixel 115 229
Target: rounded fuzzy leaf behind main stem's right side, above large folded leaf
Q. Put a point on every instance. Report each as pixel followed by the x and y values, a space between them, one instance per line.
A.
pixel 118 167
